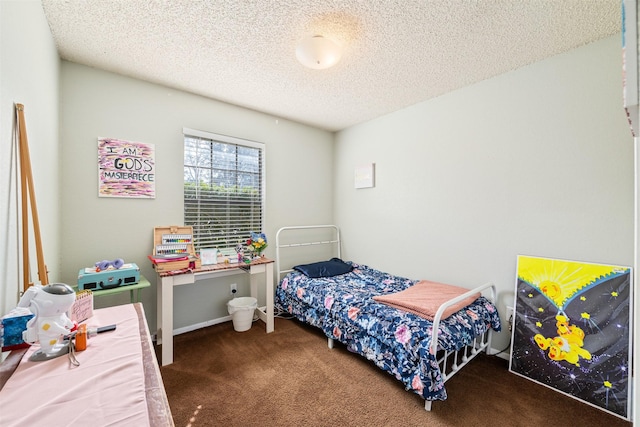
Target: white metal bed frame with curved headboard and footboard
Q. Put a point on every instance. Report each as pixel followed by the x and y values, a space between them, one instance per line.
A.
pixel 450 362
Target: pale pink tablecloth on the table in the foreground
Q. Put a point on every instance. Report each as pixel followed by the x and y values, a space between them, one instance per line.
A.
pixel 108 388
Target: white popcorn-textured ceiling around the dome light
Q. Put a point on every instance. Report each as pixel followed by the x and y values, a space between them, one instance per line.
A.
pixel 396 52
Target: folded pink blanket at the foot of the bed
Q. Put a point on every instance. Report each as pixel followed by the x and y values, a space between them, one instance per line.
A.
pixel 425 297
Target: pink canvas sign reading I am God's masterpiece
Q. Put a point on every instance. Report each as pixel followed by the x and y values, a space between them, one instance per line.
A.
pixel 126 169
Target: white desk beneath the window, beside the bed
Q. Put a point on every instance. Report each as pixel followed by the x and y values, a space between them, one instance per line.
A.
pixel 166 282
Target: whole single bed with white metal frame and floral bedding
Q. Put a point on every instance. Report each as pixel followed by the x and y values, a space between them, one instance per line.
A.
pixel 338 297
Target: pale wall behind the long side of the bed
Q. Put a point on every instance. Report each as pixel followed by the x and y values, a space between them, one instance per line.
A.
pixel 538 161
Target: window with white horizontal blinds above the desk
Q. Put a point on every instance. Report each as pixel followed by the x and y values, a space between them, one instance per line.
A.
pixel 223 188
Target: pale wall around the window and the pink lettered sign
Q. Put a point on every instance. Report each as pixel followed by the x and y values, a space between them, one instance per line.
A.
pixel 100 104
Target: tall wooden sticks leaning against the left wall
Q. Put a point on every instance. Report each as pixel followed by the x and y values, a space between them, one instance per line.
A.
pixel 27 187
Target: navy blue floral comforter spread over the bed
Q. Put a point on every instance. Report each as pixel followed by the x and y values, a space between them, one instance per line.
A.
pixel 396 341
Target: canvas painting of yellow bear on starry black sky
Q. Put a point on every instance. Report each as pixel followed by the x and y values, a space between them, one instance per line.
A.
pixel 571 330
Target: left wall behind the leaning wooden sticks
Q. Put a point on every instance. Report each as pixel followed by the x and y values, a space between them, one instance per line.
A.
pixel 29 75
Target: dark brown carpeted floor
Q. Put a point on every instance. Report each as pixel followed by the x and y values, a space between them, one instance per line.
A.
pixel 290 377
